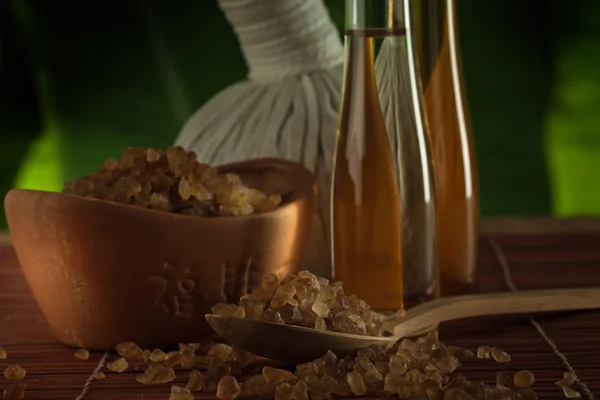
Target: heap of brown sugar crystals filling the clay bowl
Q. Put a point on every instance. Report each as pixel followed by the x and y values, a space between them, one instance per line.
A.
pixel 172 181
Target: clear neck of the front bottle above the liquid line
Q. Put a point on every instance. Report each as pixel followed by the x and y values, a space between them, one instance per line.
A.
pixel 376 14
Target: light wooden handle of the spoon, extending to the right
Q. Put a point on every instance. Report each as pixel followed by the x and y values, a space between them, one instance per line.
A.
pixel 457 307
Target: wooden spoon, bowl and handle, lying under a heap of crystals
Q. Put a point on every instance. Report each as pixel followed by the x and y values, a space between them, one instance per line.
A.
pixel 299 344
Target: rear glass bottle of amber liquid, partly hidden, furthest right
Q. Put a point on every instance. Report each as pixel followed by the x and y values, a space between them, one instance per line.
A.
pixel 452 144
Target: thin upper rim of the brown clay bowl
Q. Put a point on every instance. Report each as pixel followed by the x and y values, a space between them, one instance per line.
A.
pixel 307 189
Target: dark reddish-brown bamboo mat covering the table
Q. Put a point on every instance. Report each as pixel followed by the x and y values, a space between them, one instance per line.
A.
pixel 548 345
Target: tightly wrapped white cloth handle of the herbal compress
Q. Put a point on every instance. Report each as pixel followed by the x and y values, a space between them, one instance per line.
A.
pixel 284 37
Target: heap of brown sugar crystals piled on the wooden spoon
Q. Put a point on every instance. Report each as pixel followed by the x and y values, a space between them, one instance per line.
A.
pixel 305 300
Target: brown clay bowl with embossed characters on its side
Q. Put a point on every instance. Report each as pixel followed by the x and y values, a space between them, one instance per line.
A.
pixel 104 272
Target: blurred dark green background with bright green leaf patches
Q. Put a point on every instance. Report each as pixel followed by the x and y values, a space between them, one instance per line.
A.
pixel 81 80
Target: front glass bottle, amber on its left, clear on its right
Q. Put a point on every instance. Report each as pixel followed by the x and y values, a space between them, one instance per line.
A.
pixel 383 198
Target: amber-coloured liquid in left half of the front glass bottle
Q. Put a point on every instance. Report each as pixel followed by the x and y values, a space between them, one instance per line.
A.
pixel 366 221
